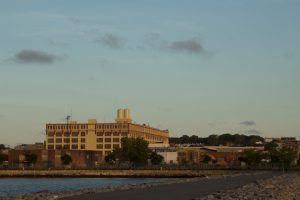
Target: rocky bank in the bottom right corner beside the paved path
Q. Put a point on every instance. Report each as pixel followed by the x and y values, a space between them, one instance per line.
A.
pixel 283 187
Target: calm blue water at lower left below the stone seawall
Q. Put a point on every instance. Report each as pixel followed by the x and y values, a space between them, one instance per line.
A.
pixel 12 186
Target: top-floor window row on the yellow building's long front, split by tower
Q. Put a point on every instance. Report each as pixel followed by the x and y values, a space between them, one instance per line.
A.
pixel 85 126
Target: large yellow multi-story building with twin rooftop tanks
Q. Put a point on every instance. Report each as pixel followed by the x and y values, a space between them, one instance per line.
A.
pixel 103 137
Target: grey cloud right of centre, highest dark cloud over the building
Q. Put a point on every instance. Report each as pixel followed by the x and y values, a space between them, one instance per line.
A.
pixel 189 46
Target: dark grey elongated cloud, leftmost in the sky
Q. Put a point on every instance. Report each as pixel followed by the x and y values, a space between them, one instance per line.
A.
pixel 33 56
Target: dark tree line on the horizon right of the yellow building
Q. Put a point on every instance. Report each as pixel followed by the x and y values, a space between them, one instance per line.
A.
pixel 216 140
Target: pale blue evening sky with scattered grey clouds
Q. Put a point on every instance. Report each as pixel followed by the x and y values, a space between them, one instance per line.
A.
pixel 194 67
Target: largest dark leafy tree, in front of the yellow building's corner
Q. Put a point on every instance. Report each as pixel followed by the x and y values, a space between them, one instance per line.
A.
pixel 133 150
